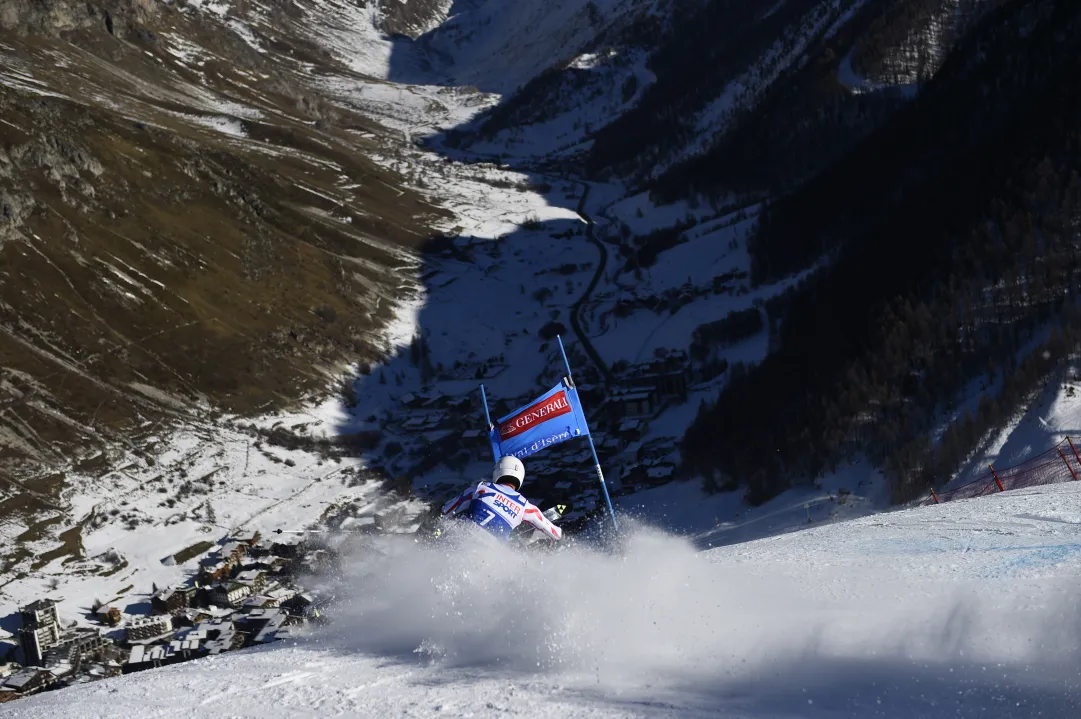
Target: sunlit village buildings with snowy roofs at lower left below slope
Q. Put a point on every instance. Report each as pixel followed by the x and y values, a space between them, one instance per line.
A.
pixel 247 593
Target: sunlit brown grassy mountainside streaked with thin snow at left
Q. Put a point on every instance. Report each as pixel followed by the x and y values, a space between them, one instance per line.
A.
pixel 151 265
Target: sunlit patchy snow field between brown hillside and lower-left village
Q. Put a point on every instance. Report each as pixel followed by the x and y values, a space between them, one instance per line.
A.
pixel 237 483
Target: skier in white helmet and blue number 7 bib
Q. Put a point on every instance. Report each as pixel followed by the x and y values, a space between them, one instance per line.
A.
pixel 498 507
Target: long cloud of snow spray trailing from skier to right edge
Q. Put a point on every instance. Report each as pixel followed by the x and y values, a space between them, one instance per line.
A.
pixel 660 618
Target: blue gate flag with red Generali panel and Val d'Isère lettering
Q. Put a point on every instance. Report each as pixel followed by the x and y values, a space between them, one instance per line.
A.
pixel 552 419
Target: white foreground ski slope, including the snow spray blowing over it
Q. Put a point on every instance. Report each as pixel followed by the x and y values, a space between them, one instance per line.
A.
pixel 964 610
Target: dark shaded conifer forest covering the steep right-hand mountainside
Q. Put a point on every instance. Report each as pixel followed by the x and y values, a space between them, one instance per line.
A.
pixel 952 234
